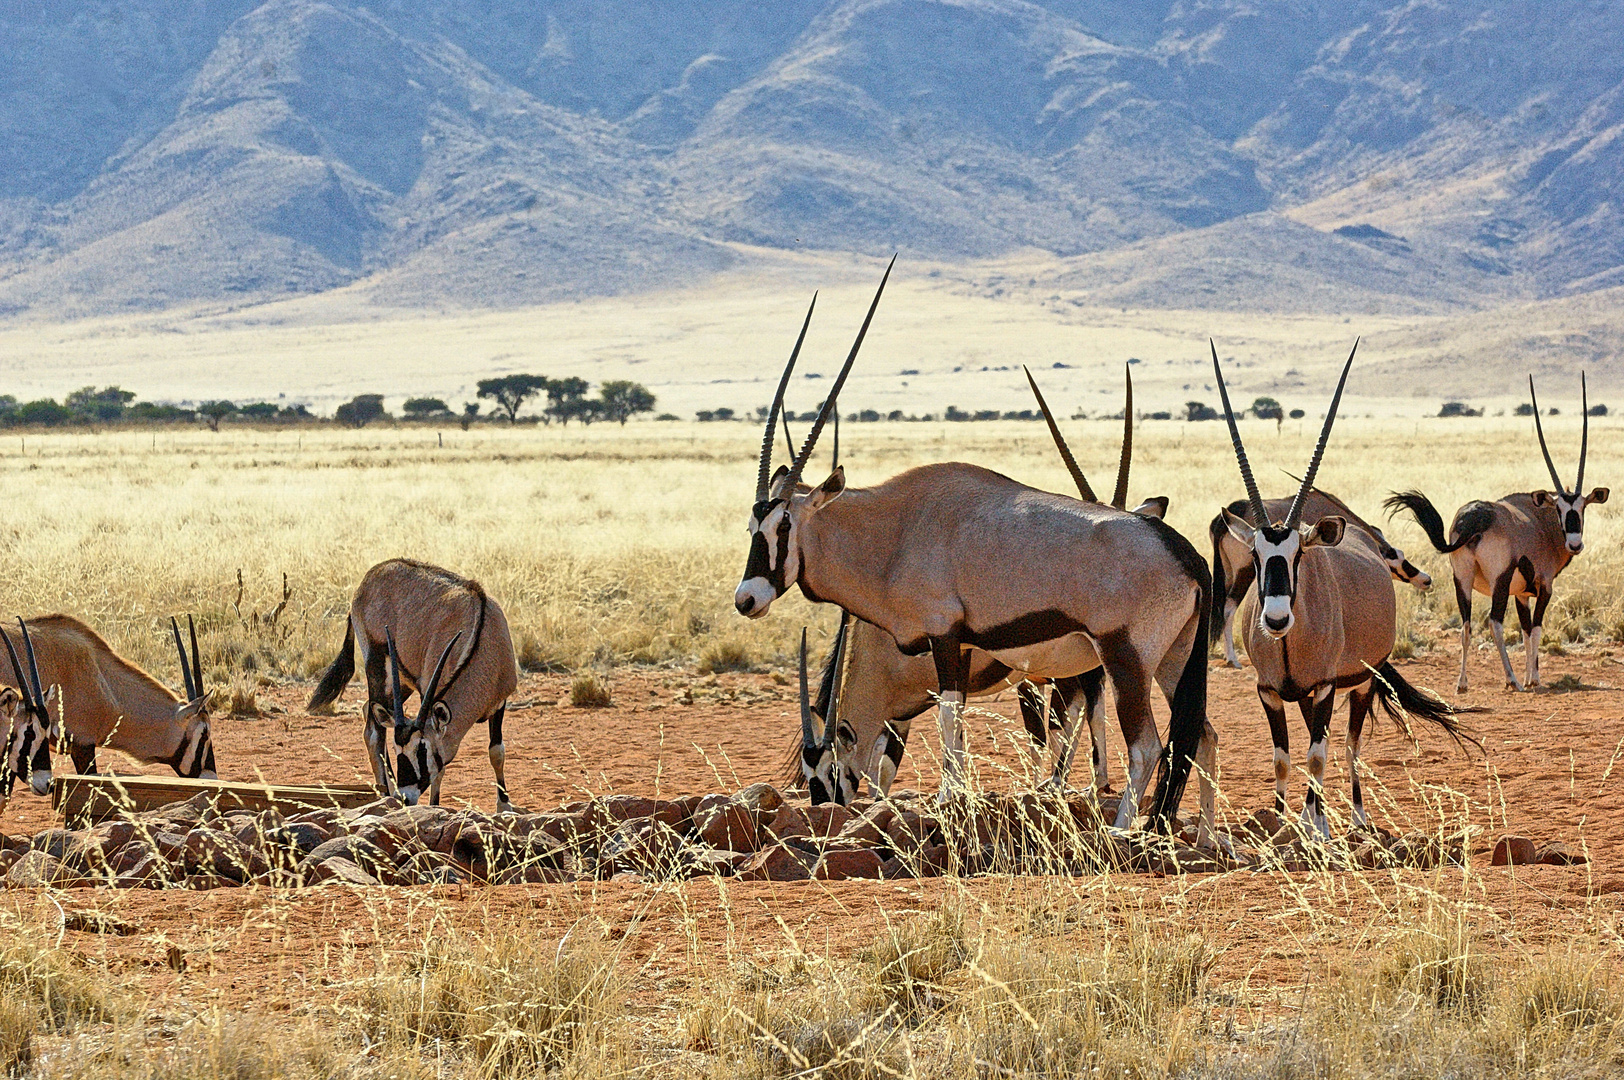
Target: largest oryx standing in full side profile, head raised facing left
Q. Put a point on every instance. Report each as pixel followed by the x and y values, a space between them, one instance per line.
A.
pixel 954 558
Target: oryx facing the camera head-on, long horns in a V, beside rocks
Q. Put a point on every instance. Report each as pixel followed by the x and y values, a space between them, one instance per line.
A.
pixel 1319 618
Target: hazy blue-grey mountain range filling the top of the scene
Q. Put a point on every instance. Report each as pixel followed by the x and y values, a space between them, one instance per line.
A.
pixel 1282 155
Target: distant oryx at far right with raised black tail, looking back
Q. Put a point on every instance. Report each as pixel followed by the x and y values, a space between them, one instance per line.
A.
pixel 1513 548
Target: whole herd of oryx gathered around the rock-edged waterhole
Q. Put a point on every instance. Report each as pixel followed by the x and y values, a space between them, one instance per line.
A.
pixel 954 582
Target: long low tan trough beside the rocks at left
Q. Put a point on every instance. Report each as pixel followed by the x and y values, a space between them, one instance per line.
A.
pixel 90 800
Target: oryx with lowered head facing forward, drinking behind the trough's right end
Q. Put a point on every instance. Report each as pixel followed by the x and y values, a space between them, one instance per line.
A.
pixel 426 611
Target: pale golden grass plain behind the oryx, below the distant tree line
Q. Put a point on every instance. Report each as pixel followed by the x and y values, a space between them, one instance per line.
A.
pixel 616 545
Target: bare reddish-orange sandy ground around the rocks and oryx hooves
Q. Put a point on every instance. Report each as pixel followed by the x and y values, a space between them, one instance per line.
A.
pixel 1552 772
